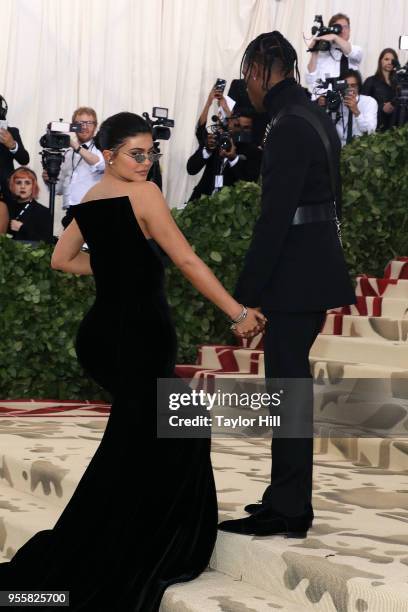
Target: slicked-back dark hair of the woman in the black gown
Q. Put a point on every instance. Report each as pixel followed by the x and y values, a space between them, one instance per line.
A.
pixel 117 128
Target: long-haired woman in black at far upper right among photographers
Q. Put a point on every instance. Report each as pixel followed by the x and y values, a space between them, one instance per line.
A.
pixel 382 87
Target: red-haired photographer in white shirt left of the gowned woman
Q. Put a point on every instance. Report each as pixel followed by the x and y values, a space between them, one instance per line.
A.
pixel 83 165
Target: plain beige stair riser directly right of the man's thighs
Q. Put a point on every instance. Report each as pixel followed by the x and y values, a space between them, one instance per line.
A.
pixel 360 350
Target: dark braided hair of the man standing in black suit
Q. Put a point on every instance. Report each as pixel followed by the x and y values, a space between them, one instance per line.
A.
pixel 271 50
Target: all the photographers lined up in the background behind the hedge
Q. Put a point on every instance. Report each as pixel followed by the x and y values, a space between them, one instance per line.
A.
pixel 229 146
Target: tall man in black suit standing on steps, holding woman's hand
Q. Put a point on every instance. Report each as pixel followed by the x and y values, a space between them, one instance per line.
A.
pixel 294 269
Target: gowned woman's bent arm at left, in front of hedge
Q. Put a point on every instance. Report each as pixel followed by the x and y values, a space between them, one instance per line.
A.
pixel 67 255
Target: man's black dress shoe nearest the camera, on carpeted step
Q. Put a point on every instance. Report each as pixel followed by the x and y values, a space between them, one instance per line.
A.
pixel 265 523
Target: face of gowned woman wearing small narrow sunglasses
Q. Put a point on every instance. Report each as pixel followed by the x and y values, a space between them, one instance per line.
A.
pixel 122 163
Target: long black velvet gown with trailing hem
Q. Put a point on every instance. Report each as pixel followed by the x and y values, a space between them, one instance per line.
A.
pixel 144 514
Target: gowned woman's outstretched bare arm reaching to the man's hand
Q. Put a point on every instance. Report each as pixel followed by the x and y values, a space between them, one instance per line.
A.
pixel 154 216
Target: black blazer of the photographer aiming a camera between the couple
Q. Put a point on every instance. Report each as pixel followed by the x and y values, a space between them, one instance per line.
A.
pixel 247 168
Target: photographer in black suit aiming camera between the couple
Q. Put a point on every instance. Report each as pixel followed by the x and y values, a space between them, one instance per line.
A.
pixel 228 156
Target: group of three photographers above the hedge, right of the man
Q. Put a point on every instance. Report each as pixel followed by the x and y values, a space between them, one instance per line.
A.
pixel 335 82
